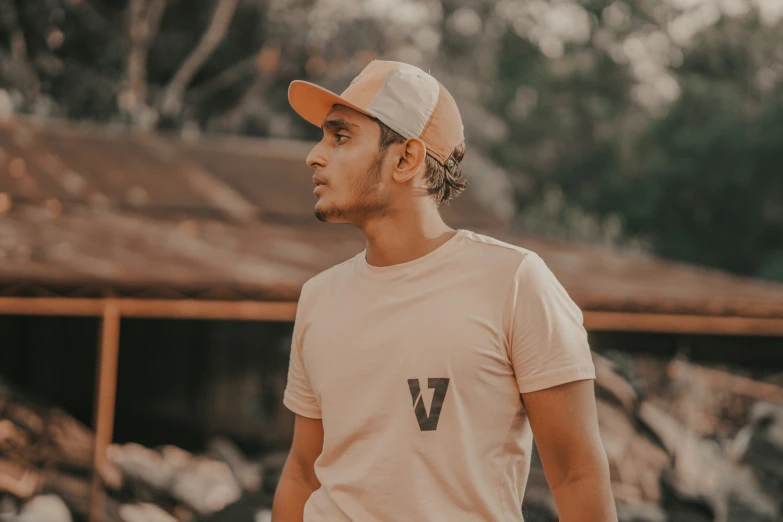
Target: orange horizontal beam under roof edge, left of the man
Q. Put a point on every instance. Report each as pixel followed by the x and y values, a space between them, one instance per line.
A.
pixel 162 308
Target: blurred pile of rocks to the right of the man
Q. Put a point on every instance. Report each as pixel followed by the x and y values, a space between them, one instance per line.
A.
pixel 681 454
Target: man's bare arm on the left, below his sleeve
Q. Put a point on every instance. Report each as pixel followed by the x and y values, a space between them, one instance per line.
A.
pixel 298 480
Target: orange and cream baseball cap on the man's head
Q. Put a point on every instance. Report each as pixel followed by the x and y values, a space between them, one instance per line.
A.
pixel 402 96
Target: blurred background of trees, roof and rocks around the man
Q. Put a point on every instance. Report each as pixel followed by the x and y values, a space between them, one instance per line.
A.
pixel 156 227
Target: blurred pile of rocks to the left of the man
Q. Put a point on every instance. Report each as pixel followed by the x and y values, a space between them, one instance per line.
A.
pixel 46 475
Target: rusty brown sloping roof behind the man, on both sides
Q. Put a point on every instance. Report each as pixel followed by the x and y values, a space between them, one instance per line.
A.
pixel 92 212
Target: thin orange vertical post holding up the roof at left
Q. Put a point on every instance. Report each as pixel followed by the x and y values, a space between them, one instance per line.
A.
pixel 106 391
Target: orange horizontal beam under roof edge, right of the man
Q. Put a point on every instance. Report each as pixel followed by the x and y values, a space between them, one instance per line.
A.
pixel 675 323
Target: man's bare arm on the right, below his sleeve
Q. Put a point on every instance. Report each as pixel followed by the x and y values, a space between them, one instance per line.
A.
pixel 564 422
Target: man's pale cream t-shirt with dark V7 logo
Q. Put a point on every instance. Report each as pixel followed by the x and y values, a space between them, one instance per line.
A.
pixel 416 370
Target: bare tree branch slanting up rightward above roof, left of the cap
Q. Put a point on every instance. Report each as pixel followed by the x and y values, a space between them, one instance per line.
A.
pixel 171 102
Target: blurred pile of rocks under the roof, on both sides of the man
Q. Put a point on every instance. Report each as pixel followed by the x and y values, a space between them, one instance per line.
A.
pixel 685 444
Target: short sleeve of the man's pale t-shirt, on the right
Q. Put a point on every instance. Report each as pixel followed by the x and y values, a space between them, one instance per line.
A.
pixel 547 339
